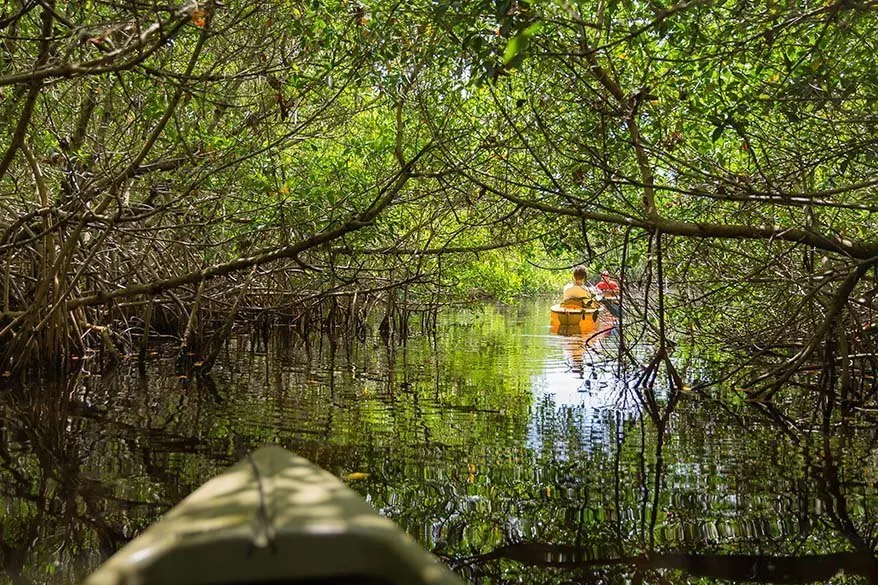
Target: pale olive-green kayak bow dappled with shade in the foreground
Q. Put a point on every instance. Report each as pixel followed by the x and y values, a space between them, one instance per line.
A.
pixel 273 518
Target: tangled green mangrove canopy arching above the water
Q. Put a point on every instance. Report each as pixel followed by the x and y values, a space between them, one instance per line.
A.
pixel 286 155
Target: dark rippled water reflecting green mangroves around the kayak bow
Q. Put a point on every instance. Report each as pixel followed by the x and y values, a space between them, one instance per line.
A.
pixel 516 455
